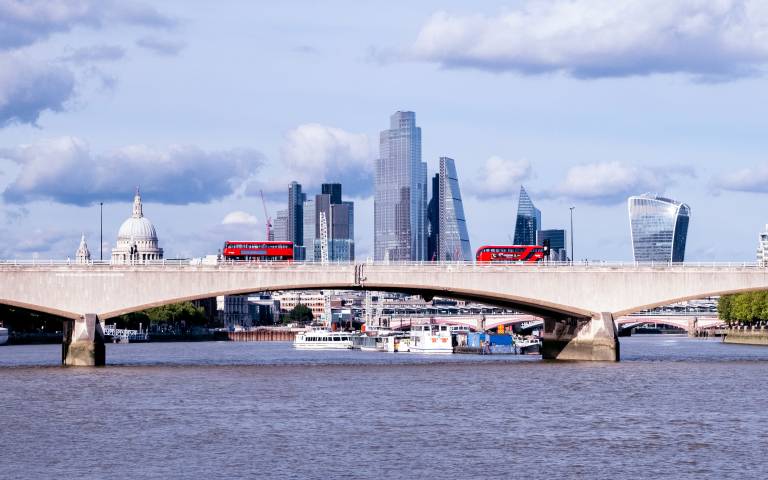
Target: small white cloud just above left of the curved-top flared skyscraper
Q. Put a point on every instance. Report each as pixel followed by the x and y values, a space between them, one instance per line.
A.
pixel 613 182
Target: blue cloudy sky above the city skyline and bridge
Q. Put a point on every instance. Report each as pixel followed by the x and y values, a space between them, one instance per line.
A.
pixel 205 104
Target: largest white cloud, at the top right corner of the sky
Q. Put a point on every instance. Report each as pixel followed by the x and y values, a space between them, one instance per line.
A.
pixel 604 38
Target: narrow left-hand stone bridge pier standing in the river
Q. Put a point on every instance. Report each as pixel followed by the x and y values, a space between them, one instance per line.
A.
pixel 83 343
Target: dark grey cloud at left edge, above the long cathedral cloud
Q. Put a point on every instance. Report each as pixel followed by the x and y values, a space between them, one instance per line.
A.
pixel 27 90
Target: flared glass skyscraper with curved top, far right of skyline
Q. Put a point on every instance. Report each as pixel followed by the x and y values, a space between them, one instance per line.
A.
pixel 659 228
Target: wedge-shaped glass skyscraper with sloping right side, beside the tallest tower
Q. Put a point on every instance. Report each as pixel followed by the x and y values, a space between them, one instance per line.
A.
pixel 453 238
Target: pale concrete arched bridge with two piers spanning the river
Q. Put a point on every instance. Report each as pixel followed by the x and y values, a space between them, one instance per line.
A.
pixel 578 302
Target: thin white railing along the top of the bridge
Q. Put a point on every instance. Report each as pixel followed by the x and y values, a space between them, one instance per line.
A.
pixel 382 266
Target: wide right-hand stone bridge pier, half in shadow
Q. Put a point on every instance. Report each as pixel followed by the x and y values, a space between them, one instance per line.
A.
pixel 594 339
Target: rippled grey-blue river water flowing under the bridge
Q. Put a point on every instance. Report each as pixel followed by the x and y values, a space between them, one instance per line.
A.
pixel 672 408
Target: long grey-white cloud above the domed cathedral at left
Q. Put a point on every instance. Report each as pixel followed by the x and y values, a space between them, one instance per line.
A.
pixel 66 171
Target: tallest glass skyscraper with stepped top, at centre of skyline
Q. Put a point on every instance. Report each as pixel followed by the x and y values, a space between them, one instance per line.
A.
pixel 400 204
